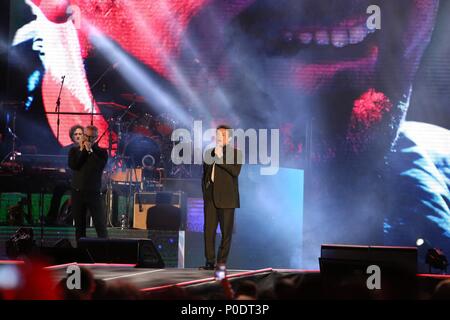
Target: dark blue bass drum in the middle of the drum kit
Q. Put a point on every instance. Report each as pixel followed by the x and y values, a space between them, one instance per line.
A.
pixel 141 151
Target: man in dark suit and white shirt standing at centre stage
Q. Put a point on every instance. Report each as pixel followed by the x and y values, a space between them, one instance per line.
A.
pixel 221 168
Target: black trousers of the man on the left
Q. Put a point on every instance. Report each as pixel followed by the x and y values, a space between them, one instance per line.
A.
pixel 88 200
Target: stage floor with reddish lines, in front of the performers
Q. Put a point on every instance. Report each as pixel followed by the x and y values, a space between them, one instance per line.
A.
pixel 202 282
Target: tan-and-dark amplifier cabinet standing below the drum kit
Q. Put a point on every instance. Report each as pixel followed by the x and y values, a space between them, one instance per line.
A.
pixel 167 210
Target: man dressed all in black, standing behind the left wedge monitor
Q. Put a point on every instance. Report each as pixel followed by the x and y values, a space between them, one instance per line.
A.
pixel 87 161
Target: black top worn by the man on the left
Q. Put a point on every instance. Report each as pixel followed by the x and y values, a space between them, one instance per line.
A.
pixel 87 168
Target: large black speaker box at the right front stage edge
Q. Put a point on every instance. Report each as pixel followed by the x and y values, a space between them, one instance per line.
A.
pixel 344 270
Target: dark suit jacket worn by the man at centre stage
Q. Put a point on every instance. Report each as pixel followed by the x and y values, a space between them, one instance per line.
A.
pixel 226 186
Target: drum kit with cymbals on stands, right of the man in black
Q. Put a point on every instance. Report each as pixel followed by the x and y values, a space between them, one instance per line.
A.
pixel 140 154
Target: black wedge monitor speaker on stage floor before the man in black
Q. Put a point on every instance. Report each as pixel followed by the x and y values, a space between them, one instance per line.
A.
pixel 141 252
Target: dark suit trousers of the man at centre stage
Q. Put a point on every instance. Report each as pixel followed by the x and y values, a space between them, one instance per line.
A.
pixel 212 217
